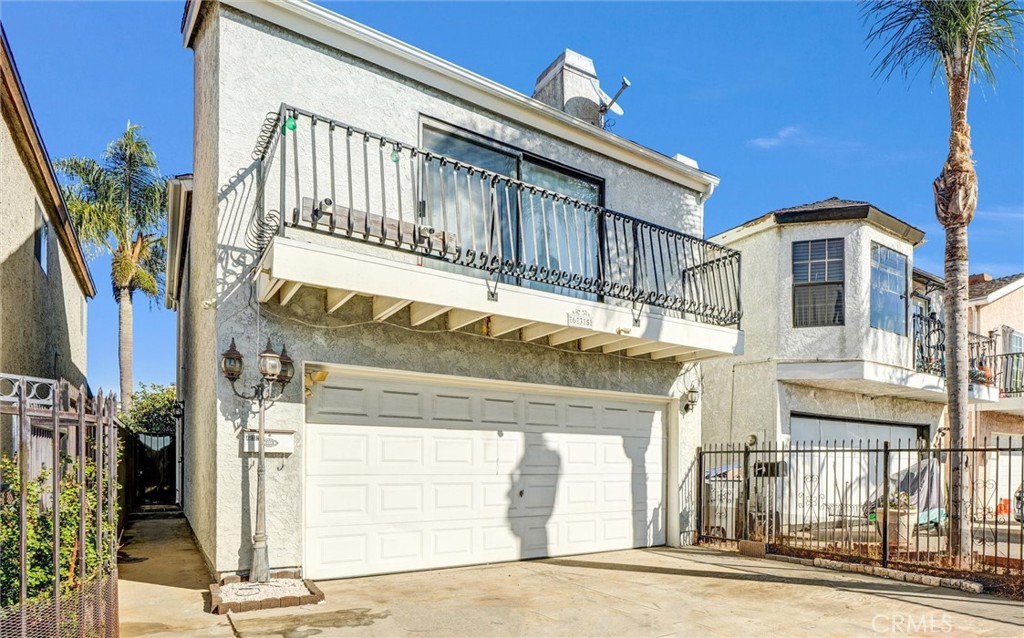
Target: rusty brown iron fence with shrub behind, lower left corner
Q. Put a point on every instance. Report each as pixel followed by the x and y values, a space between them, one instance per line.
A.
pixel 58 509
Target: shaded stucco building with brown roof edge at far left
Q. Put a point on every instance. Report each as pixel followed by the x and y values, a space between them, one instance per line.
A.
pixel 45 279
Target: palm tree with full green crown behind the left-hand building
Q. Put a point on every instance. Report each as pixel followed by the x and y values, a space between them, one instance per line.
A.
pixel 118 206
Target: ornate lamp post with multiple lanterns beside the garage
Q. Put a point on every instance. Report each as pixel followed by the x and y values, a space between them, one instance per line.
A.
pixel 274 369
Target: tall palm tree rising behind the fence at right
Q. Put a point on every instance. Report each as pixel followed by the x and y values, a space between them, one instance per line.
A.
pixel 964 39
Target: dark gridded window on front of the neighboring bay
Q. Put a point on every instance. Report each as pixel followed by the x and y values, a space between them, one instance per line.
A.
pixel 818 283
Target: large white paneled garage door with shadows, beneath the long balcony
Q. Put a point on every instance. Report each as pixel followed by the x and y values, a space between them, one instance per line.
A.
pixel 406 475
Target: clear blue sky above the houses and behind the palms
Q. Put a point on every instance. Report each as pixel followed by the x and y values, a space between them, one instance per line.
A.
pixel 778 100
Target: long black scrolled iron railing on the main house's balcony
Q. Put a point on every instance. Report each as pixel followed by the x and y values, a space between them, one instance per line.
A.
pixel 337 180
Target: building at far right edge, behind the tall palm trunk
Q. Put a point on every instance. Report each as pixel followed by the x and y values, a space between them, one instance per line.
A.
pixel 997 311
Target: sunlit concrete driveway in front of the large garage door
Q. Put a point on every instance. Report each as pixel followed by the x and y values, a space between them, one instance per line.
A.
pixel 656 592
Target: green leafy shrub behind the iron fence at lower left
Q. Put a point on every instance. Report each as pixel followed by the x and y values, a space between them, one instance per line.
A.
pixel 39 529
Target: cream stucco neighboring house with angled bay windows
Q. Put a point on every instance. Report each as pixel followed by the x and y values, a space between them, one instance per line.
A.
pixel 845 341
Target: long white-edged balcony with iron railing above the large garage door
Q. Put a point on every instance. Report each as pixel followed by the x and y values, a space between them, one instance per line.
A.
pixel 369 216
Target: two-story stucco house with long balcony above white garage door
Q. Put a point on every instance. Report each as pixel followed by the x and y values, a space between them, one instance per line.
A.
pixel 497 309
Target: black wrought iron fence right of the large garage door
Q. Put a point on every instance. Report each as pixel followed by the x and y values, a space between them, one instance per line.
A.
pixel 871 502
